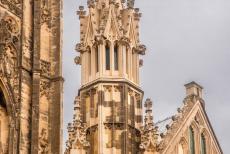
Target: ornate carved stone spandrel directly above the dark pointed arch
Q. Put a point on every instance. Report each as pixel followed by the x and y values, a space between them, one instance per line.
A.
pixel 9 32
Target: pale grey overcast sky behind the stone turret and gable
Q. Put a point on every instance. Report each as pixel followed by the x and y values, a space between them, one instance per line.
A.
pixel 187 40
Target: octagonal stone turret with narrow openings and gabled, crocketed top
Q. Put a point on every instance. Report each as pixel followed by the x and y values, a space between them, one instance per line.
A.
pixel 108 109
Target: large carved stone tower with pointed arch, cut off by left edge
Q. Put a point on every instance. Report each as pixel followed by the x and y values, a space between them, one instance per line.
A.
pixel 30 77
